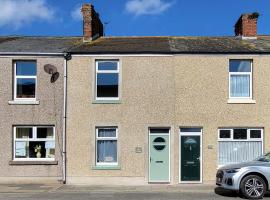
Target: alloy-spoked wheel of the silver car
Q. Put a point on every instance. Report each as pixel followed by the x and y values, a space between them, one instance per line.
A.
pixel 253 187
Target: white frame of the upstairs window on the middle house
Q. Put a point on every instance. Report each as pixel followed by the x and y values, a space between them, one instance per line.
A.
pixel 117 71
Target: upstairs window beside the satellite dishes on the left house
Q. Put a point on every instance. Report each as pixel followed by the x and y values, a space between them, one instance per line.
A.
pixel 25 78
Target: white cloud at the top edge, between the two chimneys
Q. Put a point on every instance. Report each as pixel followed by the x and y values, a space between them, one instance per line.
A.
pixel 147 7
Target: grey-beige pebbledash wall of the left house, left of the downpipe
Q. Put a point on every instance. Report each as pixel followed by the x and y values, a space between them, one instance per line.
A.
pixel 48 112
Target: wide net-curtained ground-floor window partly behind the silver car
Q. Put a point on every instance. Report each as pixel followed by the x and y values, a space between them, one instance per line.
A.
pixel 239 144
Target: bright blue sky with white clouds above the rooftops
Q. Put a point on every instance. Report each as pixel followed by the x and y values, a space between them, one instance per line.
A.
pixel 131 17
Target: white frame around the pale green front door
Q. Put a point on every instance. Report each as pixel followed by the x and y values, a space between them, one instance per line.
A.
pixel 169 143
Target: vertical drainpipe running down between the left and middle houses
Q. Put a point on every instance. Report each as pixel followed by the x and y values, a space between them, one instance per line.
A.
pixel 67 57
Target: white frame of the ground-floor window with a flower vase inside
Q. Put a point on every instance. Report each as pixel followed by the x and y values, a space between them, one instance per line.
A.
pixel 33 139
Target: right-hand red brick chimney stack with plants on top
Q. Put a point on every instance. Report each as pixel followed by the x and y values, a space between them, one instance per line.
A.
pixel 246 26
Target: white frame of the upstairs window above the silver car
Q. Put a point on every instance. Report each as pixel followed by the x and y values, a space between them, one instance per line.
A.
pixel 242 73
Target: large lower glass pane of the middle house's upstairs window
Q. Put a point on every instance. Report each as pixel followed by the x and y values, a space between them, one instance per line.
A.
pixel 107 85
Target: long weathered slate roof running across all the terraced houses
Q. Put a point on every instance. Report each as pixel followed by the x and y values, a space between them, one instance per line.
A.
pixel 135 45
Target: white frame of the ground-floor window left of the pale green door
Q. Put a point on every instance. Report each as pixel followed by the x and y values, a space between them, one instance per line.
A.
pixel 107 138
